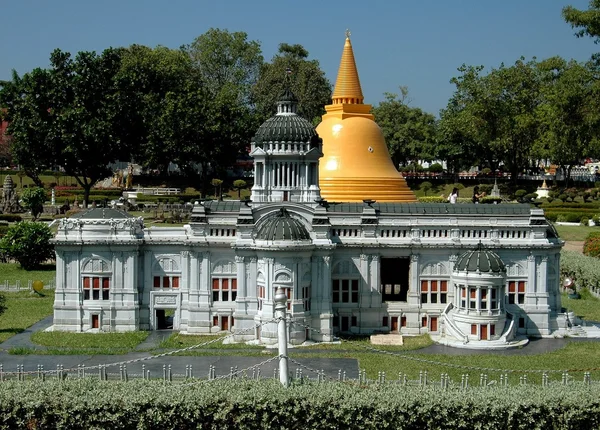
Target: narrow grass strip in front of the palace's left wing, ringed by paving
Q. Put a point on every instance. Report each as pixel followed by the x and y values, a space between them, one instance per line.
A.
pixel 90 343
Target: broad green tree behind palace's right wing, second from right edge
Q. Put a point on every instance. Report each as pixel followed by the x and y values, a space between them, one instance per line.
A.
pixel 493 118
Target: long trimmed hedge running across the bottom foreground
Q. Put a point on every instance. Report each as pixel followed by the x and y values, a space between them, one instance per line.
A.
pixel 249 404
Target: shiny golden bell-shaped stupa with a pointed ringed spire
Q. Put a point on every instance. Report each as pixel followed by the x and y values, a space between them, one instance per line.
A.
pixel 356 164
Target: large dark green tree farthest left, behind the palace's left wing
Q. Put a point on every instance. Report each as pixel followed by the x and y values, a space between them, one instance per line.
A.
pixel 69 116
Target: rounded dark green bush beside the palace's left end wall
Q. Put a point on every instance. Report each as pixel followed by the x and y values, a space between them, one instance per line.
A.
pixel 28 243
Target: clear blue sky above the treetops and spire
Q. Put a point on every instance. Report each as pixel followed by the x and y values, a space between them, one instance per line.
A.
pixel 417 43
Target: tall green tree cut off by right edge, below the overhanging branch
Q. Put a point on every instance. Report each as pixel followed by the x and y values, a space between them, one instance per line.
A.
pixel 570 112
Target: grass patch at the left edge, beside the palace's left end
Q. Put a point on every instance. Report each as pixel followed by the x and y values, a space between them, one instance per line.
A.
pixel 24 309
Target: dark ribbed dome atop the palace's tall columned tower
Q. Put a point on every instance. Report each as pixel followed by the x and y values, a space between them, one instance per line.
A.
pixel 288 128
